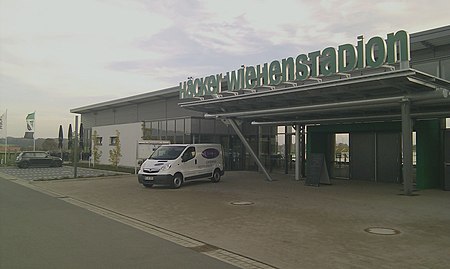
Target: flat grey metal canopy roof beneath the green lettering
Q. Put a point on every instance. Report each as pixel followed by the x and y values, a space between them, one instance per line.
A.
pixel 356 97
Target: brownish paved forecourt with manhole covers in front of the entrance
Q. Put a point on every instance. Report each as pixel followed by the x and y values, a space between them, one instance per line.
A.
pixel 287 224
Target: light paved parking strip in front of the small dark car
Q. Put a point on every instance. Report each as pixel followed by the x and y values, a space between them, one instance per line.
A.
pixel 49 173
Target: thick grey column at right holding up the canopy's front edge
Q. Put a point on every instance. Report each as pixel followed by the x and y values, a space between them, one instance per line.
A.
pixel 407 147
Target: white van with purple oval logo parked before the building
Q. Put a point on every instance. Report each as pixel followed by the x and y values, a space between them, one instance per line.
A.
pixel 176 163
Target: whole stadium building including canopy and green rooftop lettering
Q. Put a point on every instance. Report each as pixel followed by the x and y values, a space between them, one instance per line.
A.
pixel 385 97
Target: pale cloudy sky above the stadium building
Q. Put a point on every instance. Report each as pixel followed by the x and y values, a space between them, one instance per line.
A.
pixel 56 55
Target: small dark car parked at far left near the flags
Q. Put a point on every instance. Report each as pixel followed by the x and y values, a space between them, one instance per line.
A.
pixel 37 158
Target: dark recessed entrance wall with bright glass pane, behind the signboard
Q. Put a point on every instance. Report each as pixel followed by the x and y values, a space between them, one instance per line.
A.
pixel 367 152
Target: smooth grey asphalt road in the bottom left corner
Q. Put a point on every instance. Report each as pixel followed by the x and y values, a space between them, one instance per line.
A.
pixel 39 231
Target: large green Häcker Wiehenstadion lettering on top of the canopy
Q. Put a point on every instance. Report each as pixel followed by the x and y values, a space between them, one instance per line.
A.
pixel 346 58
